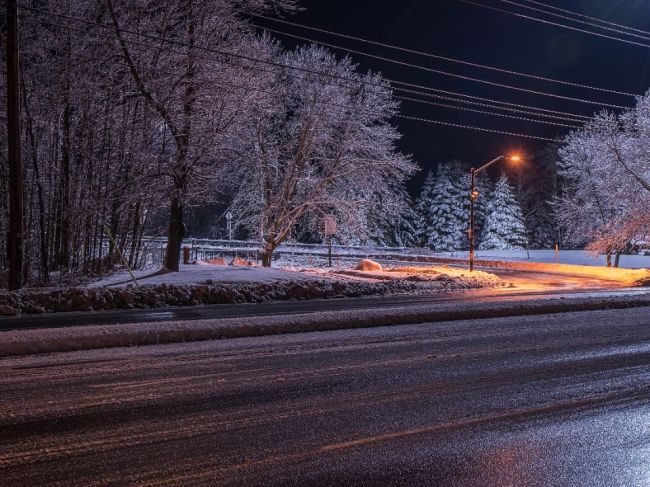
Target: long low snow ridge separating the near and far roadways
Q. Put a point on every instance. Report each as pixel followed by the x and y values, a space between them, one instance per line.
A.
pixel 111 336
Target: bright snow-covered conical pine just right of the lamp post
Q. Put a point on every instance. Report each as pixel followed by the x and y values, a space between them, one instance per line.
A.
pixel 504 226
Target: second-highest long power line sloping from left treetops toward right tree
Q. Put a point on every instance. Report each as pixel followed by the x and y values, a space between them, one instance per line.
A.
pixel 444 73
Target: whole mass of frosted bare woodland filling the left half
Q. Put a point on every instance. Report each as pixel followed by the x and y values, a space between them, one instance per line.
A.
pixel 131 110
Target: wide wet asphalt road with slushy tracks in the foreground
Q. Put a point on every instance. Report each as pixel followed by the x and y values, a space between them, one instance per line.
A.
pixel 561 400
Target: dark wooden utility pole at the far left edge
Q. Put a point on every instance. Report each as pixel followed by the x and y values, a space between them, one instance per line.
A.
pixel 16 225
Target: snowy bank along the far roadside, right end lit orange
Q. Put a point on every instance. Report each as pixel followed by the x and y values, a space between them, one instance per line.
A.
pixel 208 284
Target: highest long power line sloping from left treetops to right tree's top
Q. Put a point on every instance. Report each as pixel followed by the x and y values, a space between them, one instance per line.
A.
pixel 437 56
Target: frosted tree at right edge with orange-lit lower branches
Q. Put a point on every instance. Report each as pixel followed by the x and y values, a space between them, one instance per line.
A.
pixel 606 165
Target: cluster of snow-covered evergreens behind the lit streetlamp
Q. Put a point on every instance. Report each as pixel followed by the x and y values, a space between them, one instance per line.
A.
pixel 515 212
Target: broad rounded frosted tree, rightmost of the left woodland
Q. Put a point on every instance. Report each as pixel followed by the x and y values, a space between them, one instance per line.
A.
pixel 318 145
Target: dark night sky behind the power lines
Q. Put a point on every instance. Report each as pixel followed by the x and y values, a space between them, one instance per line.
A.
pixel 454 29
